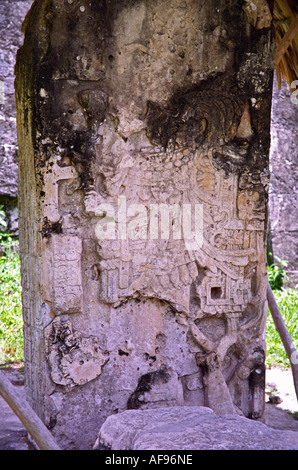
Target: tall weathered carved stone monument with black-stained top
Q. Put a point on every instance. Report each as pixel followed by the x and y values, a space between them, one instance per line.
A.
pixel 143 131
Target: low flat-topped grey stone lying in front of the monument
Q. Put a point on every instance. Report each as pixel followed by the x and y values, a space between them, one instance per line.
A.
pixel 189 428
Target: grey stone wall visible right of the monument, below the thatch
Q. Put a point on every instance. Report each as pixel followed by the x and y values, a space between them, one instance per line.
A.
pixel 284 177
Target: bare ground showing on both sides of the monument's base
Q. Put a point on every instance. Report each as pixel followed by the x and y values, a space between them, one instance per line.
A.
pixel 279 388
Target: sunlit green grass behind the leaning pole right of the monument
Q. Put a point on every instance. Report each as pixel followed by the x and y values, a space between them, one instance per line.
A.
pixel 287 300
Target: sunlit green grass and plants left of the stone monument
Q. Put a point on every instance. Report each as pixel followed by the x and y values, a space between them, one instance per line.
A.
pixel 11 324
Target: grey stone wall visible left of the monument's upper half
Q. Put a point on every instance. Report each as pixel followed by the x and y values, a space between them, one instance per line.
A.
pixel 12 14
